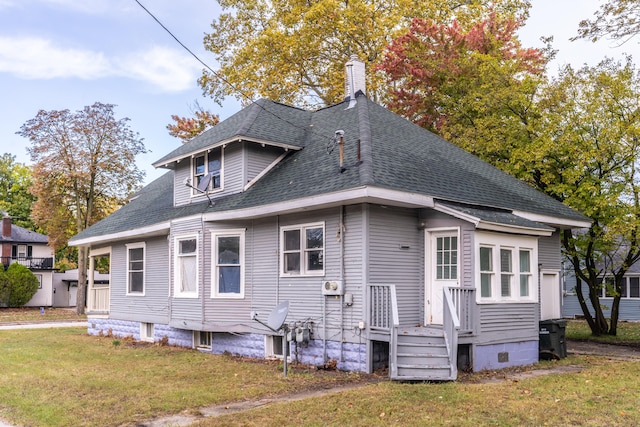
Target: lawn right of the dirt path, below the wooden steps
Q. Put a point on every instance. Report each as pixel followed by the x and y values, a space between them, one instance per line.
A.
pixel 602 394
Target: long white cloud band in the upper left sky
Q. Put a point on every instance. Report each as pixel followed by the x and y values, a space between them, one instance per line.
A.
pixel 167 69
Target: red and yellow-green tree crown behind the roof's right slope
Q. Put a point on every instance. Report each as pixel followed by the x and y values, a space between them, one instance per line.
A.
pixel 475 87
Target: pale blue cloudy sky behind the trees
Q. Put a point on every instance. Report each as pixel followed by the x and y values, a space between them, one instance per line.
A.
pixel 67 54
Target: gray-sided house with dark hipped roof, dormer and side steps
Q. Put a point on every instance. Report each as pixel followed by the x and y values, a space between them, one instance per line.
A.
pixel 392 246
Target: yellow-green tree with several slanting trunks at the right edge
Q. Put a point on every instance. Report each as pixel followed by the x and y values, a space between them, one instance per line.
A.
pixel 587 156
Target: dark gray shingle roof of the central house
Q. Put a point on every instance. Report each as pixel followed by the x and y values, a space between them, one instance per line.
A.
pixel 395 154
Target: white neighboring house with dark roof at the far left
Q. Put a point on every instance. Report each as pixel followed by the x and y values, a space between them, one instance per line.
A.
pixel 30 249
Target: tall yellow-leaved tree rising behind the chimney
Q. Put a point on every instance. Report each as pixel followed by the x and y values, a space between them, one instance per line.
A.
pixel 294 51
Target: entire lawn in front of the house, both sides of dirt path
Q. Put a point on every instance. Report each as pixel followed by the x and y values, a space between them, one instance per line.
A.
pixel 63 377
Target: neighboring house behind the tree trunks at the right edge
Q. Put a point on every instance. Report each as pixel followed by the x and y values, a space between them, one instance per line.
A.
pixel 629 302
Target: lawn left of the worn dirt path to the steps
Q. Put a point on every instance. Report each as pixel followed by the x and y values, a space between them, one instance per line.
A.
pixel 63 377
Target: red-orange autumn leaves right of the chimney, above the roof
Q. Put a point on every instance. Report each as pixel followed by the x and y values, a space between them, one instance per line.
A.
pixel 434 66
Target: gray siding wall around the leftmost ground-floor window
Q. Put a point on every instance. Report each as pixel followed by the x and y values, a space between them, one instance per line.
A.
pixel 152 307
